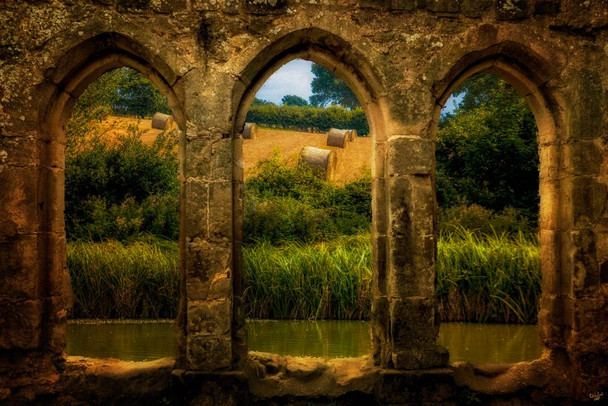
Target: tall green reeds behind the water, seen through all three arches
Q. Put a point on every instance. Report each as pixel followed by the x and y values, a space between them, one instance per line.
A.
pixel 492 278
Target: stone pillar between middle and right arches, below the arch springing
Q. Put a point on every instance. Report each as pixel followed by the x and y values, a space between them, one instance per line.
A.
pixel 414 320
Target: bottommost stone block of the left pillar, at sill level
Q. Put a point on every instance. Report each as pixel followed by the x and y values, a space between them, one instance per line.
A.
pixel 208 353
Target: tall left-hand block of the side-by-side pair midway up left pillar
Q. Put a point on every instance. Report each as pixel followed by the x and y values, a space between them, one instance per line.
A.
pixel 196 206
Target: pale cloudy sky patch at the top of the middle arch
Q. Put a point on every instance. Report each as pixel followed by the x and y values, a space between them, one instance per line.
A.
pixel 292 78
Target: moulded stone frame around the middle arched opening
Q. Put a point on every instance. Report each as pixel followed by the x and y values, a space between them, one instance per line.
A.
pixel 312 49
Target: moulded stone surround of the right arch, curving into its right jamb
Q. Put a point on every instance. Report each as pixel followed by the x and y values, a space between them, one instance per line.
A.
pixel 530 75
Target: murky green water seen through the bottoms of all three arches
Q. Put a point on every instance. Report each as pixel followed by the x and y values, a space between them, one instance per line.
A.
pixel 475 343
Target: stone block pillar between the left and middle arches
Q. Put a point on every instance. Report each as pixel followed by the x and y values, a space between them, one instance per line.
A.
pixel 207 221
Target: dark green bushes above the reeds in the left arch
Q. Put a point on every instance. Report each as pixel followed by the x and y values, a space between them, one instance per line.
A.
pixel 123 189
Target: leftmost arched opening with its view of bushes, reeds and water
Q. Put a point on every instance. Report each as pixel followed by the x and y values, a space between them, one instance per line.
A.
pixel 122 220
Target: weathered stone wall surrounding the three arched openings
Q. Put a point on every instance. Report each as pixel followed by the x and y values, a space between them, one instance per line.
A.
pixel 402 58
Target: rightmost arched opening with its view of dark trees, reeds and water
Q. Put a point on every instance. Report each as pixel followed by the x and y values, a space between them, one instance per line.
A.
pixel 488 257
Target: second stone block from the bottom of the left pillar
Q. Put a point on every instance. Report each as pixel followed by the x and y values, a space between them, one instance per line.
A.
pixel 209 317
